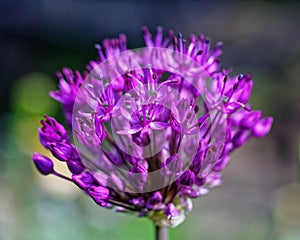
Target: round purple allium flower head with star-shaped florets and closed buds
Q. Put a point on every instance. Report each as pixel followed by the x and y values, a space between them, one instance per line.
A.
pixel 168 140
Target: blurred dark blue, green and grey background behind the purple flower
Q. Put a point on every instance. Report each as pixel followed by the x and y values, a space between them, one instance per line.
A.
pixel 260 198
